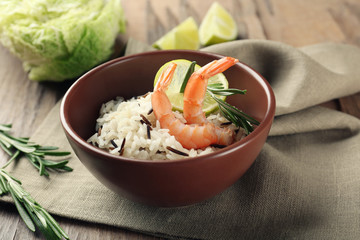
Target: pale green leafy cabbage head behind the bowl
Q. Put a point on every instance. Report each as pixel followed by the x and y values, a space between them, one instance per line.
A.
pixel 60 39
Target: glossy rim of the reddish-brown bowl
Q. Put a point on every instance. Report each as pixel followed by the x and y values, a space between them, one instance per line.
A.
pixel 70 132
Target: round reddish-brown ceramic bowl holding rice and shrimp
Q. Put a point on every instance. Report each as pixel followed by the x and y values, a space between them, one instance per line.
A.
pixel 163 183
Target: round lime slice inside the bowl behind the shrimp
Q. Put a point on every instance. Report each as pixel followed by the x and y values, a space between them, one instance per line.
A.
pixel 177 98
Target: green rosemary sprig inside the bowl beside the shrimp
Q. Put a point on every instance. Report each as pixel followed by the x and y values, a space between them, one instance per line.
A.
pixel 231 113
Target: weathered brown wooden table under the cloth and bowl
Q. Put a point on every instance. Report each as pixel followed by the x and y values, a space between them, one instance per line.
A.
pixel 296 22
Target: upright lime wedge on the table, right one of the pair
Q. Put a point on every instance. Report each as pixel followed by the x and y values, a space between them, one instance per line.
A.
pixel 217 26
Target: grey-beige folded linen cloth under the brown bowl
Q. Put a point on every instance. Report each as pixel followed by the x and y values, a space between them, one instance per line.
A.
pixel 305 184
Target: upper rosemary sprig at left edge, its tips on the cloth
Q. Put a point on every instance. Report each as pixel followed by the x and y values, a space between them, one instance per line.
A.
pixel 16 146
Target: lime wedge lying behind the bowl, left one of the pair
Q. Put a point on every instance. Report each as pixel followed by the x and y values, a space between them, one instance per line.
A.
pixel 183 36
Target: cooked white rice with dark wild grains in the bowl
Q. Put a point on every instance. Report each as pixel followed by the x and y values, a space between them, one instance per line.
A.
pixel 121 120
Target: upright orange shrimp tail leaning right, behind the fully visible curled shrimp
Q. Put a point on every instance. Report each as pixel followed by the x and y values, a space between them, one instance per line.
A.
pixel 196 88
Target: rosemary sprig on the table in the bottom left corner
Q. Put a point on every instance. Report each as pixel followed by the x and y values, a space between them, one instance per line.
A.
pixel 29 210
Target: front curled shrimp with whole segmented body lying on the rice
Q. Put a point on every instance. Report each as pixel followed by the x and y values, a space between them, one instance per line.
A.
pixel 190 136
